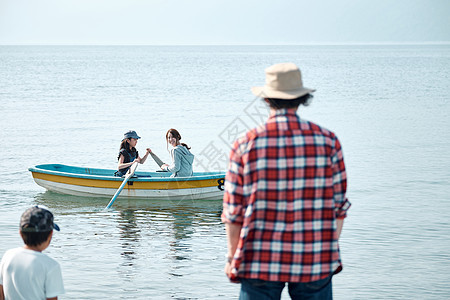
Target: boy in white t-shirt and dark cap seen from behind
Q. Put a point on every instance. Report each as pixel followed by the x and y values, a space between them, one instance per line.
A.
pixel 26 272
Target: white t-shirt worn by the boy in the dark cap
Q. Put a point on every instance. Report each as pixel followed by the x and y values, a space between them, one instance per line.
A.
pixel 27 274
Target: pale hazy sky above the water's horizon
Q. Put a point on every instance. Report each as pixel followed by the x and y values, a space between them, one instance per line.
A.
pixel 180 22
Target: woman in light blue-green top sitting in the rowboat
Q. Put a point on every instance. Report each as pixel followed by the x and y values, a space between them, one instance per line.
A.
pixel 182 158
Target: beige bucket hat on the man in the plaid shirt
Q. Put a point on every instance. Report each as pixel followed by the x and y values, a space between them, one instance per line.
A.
pixel 283 81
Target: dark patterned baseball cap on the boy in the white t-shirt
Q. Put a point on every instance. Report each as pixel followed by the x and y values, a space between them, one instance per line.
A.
pixel 37 219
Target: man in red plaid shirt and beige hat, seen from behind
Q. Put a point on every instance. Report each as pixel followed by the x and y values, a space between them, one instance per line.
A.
pixel 284 203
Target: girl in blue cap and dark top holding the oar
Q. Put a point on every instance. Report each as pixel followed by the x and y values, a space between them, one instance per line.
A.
pixel 128 153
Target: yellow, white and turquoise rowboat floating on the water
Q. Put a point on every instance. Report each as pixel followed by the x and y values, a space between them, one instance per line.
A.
pixel 93 182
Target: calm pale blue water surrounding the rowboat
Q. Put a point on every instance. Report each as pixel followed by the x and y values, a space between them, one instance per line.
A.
pixel 389 105
